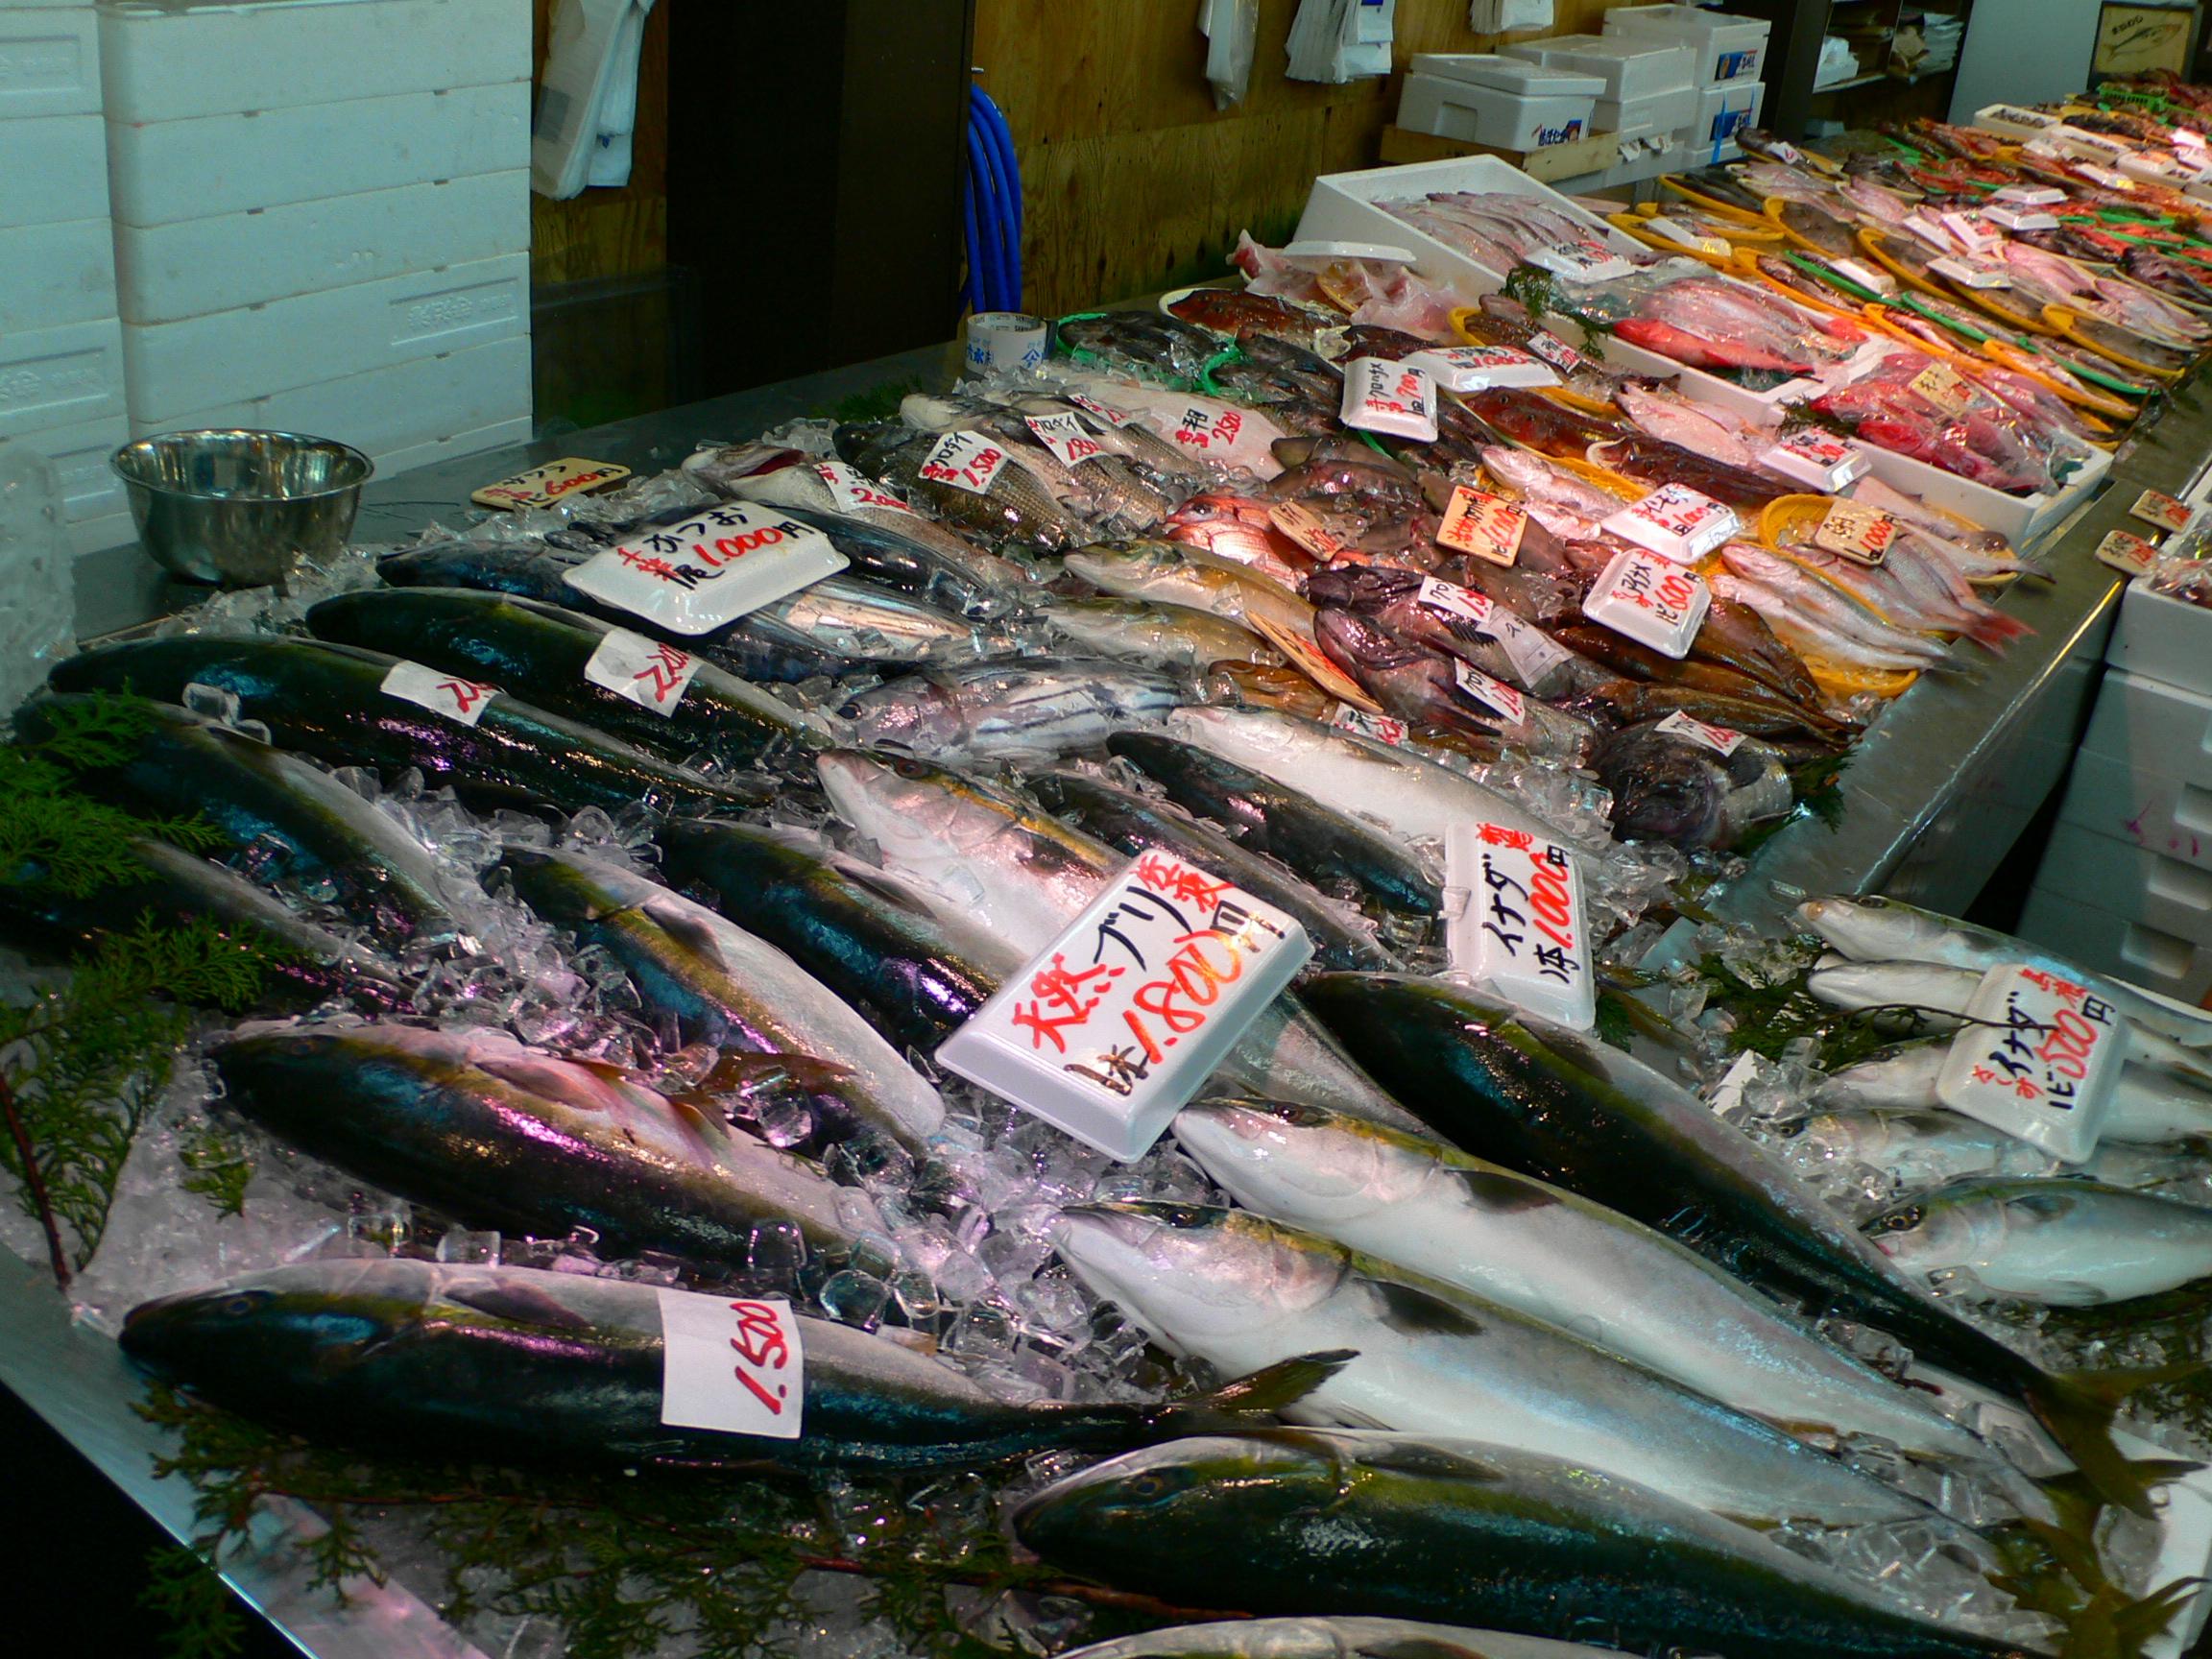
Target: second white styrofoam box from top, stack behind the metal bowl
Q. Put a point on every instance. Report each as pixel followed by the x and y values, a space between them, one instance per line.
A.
pixel 167 171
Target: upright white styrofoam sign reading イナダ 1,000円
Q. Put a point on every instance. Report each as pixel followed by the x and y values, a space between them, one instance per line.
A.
pixel 1523 926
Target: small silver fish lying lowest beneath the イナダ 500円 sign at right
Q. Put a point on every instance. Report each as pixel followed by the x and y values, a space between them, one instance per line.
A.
pixel 2065 1244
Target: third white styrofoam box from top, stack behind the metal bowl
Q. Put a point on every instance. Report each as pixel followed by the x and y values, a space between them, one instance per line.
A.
pixel 233 260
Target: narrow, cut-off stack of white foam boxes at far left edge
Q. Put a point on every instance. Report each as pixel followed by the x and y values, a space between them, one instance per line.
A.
pixel 61 346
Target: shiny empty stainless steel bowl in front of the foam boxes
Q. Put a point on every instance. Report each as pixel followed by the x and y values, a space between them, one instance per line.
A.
pixel 240 508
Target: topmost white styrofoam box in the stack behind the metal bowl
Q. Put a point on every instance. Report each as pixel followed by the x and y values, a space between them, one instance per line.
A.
pixel 167 63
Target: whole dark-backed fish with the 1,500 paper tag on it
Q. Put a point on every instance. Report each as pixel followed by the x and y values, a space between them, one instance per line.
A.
pixel 545 1366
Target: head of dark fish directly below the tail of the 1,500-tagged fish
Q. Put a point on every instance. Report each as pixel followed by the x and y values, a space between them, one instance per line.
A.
pixel 1198 1492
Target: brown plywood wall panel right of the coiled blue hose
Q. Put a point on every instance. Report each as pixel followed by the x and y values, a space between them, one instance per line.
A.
pixel 1131 178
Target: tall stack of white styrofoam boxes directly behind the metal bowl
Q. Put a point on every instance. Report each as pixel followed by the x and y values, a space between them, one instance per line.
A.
pixel 322 218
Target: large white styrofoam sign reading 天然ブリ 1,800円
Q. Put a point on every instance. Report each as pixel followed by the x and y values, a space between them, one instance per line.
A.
pixel 1123 1019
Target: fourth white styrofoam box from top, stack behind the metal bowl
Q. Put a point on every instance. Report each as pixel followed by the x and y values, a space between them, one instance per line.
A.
pixel 222 357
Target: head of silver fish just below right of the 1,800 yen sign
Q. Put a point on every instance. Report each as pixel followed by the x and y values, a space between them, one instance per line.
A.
pixel 1302 1165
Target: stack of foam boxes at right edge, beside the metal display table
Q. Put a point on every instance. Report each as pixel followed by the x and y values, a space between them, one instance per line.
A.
pixel 2127 881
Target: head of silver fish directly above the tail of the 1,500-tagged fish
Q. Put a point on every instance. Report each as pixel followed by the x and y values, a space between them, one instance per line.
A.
pixel 1191 1273
